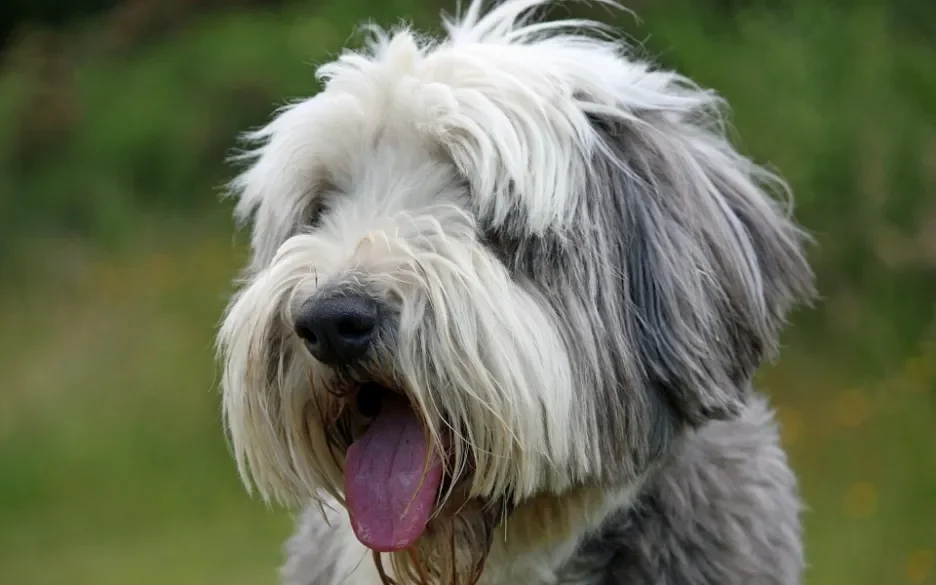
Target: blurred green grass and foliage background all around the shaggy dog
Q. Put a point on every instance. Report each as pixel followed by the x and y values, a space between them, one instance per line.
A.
pixel 116 257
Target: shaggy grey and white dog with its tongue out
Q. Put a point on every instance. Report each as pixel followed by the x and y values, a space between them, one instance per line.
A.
pixel 506 295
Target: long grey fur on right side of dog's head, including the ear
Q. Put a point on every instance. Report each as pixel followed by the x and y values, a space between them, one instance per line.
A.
pixel 670 292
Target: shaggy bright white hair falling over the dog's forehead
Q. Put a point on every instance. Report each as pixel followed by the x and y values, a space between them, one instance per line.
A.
pixel 491 110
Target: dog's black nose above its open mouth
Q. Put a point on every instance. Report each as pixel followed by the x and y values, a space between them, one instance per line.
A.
pixel 338 330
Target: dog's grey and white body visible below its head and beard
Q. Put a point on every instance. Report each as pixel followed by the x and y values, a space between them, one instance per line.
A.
pixel 723 511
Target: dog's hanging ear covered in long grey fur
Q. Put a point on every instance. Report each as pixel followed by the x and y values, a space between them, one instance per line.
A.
pixel 709 261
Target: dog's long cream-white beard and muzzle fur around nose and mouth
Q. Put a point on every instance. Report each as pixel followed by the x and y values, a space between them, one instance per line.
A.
pixel 477 360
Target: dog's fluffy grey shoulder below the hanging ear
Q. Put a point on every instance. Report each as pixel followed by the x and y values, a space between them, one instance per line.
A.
pixel 725 511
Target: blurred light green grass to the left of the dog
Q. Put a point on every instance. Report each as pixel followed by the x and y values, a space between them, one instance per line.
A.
pixel 114 468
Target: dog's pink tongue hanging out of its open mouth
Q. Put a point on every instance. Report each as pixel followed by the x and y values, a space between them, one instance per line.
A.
pixel 391 481
